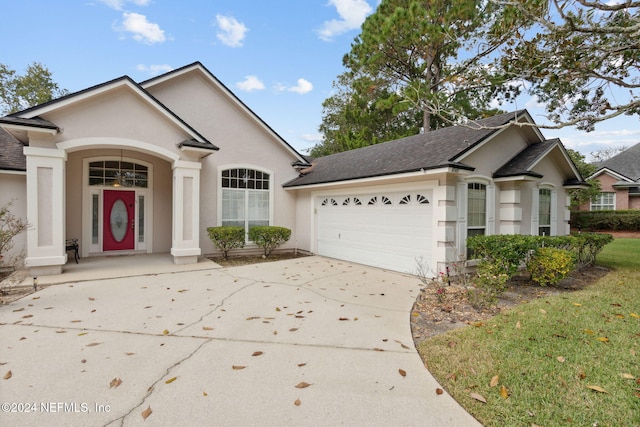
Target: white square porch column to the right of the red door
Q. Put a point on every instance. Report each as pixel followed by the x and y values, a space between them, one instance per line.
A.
pixel 185 245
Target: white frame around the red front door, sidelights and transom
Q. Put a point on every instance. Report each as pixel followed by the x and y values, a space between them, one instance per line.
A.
pixel 88 247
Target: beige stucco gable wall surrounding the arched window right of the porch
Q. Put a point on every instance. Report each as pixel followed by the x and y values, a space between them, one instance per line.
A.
pixel 243 142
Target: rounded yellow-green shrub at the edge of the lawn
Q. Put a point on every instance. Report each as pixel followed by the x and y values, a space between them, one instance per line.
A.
pixel 550 265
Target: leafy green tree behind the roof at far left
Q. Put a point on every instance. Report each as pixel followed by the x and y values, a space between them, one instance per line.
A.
pixel 35 87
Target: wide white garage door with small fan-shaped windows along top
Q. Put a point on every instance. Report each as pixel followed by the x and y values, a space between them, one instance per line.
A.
pixel 387 230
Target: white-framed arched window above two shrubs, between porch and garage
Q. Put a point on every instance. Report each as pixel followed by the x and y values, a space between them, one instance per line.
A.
pixel 245 197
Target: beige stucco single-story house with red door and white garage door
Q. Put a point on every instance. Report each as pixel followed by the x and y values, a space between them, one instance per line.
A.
pixel 135 168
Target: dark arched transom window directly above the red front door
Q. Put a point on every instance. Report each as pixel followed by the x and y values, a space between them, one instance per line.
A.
pixel 118 173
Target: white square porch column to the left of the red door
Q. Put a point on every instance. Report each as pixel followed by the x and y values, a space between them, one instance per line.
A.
pixel 46 252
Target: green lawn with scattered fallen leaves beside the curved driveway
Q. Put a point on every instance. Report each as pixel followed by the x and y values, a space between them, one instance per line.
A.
pixel 571 359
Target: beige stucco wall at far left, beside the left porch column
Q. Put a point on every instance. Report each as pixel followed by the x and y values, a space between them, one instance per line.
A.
pixel 13 188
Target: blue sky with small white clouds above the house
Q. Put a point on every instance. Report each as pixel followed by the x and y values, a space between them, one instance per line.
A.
pixel 279 57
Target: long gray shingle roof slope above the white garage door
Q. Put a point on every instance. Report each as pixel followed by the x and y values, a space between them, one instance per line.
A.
pixel 430 150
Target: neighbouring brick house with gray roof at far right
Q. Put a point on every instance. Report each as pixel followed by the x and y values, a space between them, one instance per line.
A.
pixel 619 179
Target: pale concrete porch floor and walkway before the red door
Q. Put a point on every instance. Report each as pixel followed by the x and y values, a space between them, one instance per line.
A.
pixel 111 267
